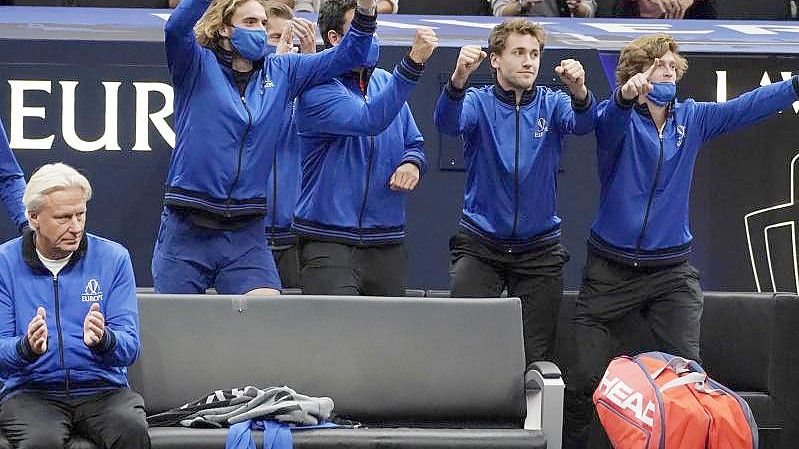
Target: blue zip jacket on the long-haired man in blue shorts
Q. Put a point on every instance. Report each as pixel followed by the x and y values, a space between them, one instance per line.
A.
pixel 225 142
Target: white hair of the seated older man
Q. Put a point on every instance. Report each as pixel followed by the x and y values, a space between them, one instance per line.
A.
pixel 52 178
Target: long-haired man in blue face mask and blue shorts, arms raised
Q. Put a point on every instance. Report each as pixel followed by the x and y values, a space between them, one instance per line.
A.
pixel 230 100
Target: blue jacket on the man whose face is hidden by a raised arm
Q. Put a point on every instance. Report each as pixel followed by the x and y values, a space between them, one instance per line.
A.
pixel 351 145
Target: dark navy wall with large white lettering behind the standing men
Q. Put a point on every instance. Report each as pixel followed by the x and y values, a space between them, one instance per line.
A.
pixel 736 174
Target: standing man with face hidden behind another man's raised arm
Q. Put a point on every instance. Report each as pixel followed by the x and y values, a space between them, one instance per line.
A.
pixel 362 153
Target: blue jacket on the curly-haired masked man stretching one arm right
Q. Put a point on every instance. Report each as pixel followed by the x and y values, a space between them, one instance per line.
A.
pixel 646 176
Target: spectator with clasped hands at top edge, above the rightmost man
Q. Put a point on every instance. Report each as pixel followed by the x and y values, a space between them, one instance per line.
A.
pixel 665 9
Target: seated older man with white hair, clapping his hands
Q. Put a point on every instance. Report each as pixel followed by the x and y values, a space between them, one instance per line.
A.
pixel 68 325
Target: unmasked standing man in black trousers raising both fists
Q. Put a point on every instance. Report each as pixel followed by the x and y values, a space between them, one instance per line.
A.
pixel 509 234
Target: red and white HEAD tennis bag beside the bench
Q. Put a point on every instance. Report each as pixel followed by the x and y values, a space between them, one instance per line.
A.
pixel 658 401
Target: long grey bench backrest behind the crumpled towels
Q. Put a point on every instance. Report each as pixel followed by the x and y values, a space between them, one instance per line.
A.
pixel 380 359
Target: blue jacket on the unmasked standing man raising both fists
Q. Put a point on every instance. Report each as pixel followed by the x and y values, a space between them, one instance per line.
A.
pixel 512 155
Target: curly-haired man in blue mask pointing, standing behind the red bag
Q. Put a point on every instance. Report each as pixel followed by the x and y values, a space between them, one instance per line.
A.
pixel 640 239
